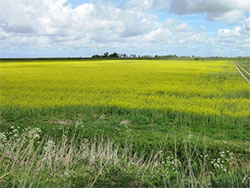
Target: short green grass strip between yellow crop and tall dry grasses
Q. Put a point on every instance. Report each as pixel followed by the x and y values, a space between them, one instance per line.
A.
pixel 146 129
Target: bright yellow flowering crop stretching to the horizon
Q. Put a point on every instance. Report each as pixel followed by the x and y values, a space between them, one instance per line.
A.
pixel 198 87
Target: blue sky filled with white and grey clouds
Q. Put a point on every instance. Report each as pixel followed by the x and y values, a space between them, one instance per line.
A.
pixel 82 28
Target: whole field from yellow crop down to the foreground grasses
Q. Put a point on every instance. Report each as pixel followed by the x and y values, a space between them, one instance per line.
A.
pixel 141 122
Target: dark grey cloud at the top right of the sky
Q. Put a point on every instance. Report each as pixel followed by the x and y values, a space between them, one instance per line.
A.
pixel 231 11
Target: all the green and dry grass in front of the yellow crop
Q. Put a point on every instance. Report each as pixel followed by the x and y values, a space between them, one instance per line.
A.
pixel 109 147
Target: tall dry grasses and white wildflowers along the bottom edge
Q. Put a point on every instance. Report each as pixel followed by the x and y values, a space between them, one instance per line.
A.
pixel 29 159
